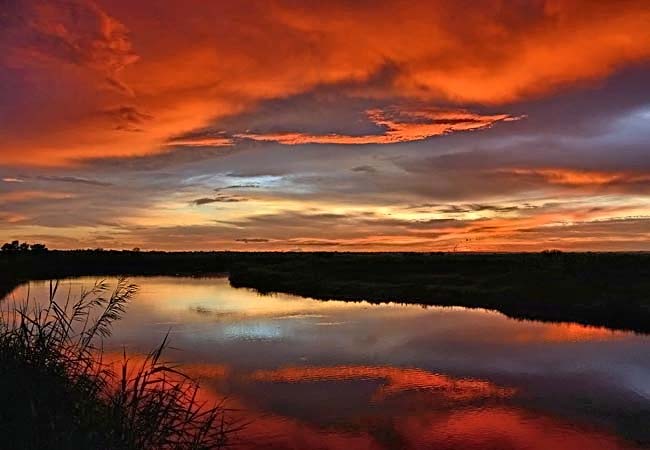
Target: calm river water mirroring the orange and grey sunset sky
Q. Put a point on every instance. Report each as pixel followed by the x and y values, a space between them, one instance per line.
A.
pixel 335 375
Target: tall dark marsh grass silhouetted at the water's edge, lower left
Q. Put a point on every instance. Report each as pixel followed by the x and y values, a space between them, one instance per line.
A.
pixel 57 391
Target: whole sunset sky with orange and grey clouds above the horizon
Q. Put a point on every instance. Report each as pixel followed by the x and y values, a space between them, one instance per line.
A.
pixel 465 125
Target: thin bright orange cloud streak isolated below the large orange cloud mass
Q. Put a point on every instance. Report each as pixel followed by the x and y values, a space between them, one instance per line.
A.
pixel 400 126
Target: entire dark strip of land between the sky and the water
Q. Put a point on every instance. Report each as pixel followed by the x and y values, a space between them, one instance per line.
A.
pixel 609 289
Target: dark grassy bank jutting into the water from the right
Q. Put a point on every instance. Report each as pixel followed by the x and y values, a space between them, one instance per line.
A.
pixel 608 289
